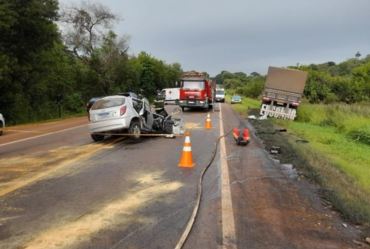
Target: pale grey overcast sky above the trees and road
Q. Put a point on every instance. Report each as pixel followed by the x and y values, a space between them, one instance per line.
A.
pixel 244 35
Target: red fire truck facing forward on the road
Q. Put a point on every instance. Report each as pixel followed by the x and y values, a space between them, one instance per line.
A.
pixel 196 91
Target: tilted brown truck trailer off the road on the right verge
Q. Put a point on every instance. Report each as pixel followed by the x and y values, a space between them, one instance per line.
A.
pixel 283 91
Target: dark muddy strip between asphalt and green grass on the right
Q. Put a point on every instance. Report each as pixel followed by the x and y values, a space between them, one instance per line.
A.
pixel 289 149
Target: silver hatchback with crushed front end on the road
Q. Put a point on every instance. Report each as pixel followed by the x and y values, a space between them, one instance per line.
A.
pixel 125 114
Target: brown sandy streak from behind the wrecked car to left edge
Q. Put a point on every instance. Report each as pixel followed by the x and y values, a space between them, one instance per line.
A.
pixel 18 172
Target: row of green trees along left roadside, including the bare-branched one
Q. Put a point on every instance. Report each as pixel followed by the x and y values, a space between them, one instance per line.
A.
pixel 51 57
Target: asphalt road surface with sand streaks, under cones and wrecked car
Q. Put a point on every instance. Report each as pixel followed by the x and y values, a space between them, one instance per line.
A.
pixel 61 190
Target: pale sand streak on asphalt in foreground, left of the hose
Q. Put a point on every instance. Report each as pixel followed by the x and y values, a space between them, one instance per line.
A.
pixel 119 212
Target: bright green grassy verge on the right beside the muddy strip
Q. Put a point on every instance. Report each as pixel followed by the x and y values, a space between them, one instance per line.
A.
pixel 337 155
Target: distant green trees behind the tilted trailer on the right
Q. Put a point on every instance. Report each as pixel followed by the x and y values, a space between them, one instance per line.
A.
pixel 347 82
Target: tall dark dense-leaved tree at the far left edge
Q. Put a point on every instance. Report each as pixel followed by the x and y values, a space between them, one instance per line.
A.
pixel 27 32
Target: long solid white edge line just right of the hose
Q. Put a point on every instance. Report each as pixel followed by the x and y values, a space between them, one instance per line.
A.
pixel 227 215
